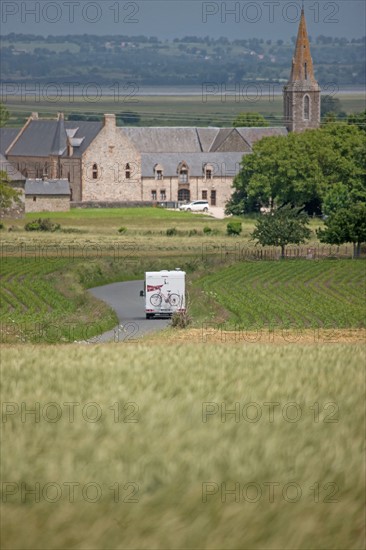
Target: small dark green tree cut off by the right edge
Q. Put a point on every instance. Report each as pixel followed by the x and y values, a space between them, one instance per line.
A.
pixel 346 225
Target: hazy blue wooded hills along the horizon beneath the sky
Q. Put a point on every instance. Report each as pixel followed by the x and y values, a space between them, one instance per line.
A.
pixel 190 60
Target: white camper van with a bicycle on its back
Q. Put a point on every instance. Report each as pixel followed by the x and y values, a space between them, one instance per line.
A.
pixel 164 292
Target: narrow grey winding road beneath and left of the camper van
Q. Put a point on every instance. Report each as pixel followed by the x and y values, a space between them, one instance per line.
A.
pixel 125 299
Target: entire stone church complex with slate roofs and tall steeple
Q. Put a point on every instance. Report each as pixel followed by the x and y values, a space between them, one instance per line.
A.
pixel 103 164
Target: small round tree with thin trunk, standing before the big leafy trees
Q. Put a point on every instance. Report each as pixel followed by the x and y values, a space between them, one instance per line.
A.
pixel 287 225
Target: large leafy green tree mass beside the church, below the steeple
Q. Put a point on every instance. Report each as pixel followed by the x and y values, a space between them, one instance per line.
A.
pixel 301 168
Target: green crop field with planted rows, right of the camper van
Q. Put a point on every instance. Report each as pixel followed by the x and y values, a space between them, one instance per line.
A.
pixel 296 293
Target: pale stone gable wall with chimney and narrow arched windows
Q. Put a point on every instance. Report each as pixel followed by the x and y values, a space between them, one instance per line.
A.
pixel 111 151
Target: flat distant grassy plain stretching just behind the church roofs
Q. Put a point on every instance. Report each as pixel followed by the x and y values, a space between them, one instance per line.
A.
pixel 176 110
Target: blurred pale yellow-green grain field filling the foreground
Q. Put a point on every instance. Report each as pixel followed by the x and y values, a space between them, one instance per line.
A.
pixel 151 472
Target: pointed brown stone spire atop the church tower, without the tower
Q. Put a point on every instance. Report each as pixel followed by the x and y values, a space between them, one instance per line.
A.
pixel 302 63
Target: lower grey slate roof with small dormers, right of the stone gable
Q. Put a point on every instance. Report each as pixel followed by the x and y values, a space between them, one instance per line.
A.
pixel 222 163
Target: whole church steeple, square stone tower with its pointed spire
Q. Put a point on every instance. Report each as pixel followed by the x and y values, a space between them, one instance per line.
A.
pixel 302 92
